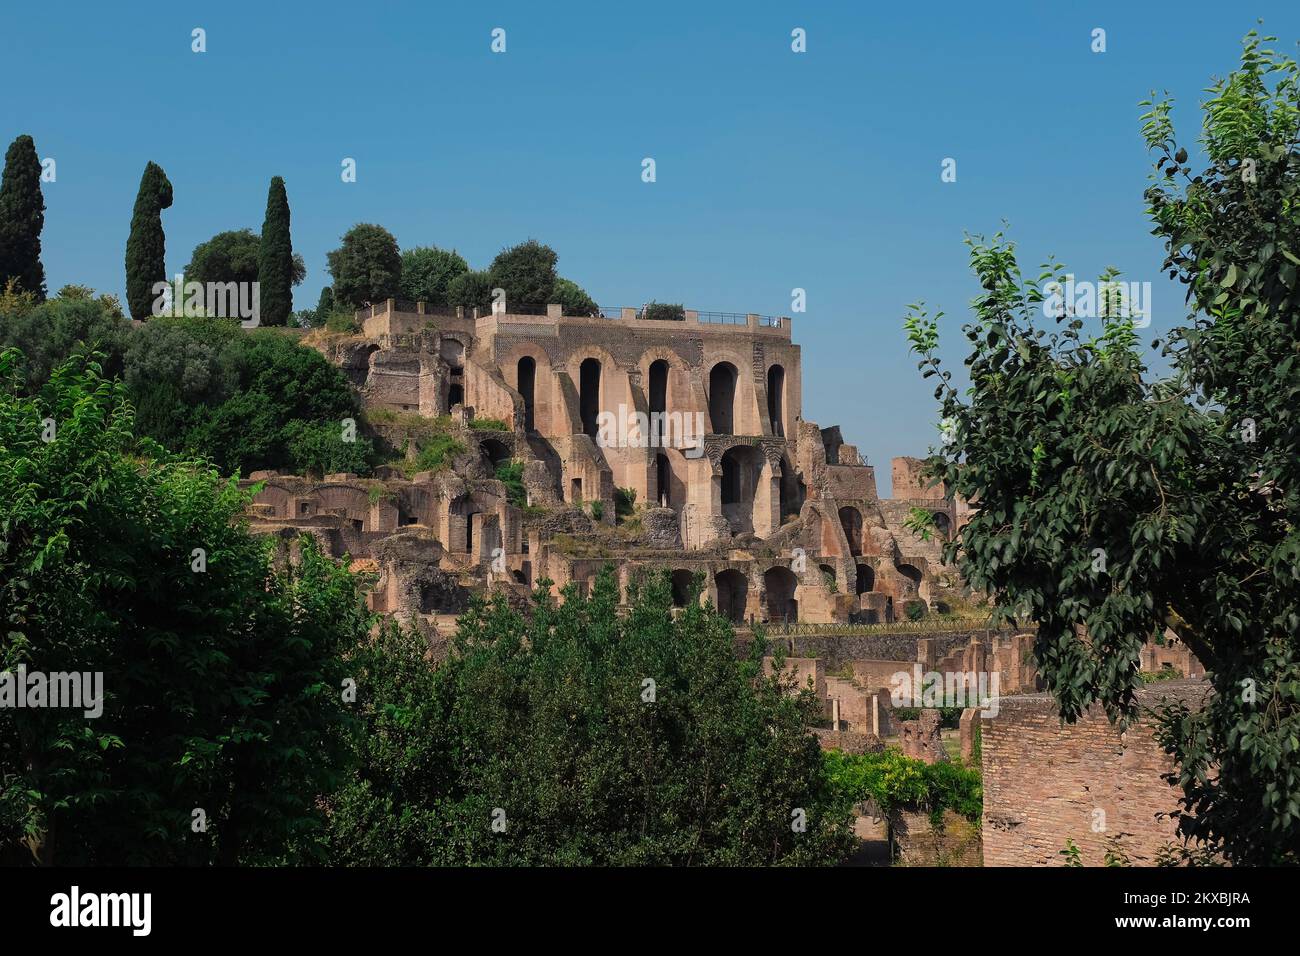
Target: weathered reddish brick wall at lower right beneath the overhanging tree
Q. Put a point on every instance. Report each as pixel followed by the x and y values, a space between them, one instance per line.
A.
pixel 1087 782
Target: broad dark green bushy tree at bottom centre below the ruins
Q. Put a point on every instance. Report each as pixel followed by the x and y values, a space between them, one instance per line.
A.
pixel 549 720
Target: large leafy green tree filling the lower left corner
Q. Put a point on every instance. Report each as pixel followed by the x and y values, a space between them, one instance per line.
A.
pixel 220 681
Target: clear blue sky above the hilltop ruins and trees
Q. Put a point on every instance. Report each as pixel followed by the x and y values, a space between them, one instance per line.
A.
pixel 775 171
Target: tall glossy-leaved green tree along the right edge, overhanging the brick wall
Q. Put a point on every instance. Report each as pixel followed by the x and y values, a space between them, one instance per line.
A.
pixel 1115 504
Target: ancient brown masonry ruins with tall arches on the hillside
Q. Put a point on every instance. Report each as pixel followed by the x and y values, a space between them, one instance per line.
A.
pixel 700 418
